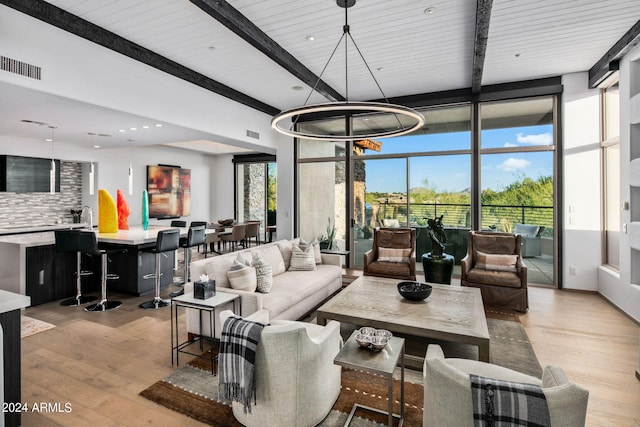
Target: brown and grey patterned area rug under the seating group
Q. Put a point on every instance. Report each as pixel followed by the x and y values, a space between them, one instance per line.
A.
pixel 193 391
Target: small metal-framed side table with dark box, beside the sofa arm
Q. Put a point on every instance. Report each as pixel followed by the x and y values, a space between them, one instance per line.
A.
pixel 208 305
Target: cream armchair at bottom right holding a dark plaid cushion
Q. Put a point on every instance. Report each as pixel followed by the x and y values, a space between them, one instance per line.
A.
pixel 448 399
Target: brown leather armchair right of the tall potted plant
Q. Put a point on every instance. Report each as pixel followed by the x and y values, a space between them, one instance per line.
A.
pixel 494 264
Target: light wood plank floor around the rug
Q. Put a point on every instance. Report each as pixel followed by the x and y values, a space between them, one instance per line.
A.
pixel 99 362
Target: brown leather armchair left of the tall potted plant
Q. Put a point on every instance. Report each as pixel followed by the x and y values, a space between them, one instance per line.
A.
pixel 392 254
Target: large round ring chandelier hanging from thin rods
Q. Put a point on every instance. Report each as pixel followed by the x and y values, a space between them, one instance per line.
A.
pixel 345 108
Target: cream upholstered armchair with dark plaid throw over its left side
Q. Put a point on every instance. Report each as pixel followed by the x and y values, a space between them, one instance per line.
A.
pixel 296 380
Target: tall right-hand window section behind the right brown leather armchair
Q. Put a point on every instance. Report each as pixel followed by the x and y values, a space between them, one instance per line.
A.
pixel 517 148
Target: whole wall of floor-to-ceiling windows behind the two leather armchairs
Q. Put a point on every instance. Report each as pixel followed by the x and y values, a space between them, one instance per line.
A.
pixel 440 171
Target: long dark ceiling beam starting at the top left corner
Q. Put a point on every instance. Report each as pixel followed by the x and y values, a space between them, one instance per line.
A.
pixel 75 25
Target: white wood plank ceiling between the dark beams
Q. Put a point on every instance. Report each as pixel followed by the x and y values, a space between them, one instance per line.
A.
pixel 412 46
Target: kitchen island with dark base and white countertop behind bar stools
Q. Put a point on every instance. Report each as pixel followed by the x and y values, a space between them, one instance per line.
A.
pixel 31 266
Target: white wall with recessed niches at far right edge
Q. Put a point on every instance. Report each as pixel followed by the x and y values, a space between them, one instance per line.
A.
pixel 617 287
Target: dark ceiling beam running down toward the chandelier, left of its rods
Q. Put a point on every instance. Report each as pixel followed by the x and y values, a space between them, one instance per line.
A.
pixel 228 16
